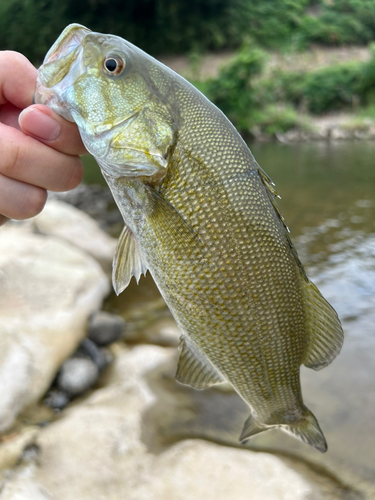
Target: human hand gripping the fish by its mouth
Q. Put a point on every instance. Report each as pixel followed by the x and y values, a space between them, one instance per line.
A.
pixel 38 148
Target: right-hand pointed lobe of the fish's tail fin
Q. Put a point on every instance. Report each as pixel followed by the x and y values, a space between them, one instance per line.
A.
pixel 307 430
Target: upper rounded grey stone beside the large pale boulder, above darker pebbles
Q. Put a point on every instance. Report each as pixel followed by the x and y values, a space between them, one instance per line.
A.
pixel 104 328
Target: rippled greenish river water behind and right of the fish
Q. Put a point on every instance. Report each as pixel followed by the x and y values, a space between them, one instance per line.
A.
pixel 328 200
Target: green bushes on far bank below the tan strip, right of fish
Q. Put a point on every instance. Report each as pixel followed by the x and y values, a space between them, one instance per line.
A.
pixel 279 101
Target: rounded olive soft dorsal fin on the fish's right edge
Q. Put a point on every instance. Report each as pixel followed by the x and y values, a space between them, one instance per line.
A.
pixel 324 329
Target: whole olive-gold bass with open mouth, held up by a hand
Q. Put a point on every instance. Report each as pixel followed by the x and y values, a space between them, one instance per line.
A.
pixel 202 217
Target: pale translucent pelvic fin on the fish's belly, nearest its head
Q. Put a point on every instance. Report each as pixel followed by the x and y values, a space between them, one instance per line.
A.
pixel 127 261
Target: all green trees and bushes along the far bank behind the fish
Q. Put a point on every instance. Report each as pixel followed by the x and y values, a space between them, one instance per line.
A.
pixel 255 100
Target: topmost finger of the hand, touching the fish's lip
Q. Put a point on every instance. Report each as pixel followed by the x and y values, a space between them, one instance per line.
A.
pixel 17 79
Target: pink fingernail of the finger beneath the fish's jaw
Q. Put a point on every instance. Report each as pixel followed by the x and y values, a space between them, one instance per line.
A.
pixel 36 123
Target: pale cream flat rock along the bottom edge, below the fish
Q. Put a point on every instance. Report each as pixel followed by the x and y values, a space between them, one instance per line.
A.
pixel 103 448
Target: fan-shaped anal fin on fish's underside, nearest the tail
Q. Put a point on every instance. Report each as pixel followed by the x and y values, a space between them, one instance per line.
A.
pixel 194 369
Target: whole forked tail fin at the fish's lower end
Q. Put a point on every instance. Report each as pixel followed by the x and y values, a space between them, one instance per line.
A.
pixel 305 428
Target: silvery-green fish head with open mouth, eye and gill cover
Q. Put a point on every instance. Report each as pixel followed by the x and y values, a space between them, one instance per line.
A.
pixel 103 83
